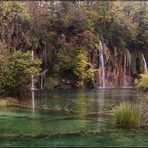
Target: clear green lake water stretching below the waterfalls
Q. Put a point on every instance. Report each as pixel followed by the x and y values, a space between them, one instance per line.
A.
pixel 51 118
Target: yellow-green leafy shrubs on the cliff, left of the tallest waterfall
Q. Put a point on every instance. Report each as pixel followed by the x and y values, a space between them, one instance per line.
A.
pixel 74 66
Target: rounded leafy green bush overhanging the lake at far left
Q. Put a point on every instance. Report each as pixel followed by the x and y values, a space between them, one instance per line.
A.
pixel 16 71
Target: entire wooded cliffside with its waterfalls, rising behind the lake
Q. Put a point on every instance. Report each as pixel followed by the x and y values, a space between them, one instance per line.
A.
pixel 77 44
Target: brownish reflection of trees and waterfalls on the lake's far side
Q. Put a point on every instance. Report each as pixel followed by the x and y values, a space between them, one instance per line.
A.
pixel 82 102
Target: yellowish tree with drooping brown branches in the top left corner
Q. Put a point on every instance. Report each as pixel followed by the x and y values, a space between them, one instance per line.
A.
pixel 15 22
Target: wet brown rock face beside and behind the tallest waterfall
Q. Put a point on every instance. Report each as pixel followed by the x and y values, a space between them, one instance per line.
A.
pixel 116 68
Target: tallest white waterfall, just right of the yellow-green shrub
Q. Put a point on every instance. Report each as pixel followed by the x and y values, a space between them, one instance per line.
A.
pixel 101 67
